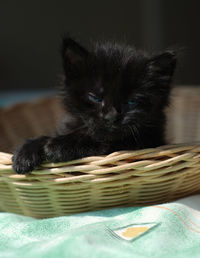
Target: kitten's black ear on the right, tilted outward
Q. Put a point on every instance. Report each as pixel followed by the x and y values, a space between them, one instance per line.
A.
pixel 163 64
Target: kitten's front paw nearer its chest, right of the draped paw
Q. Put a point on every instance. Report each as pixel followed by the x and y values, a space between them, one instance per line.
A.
pixel 55 150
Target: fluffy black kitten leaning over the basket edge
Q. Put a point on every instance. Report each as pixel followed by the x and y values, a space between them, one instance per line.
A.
pixel 116 97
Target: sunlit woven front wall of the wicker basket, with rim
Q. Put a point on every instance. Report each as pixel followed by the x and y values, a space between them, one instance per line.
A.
pixel 143 177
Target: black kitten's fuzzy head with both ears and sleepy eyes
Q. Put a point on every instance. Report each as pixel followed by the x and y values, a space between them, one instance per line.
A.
pixel 114 86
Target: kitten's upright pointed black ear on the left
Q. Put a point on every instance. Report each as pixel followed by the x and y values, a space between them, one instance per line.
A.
pixel 74 57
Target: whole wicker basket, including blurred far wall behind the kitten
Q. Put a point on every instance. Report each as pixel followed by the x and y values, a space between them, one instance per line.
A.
pixel 143 177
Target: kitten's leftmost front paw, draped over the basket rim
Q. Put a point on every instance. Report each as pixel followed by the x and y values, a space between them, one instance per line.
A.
pixel 26 159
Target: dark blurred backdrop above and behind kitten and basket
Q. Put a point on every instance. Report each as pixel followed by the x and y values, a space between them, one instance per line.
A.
pixel 31 34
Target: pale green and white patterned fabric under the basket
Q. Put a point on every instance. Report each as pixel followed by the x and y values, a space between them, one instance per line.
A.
pixel 167 230
